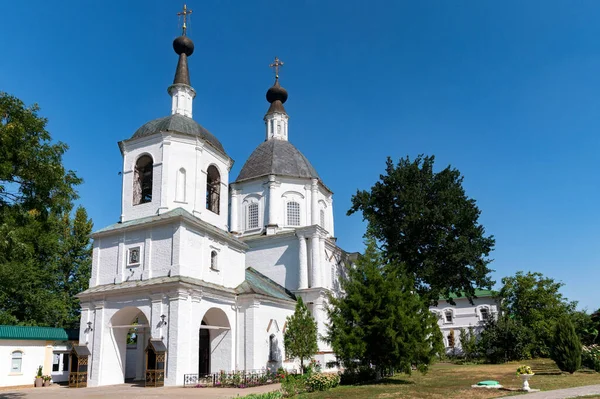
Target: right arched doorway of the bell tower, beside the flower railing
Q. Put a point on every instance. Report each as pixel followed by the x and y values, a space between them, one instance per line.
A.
pixel 215 343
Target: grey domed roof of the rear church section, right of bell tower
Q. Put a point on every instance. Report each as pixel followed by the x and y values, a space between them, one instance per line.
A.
pixel 277 157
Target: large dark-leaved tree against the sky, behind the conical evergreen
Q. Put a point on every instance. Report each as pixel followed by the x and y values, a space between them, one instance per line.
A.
pixel 426 223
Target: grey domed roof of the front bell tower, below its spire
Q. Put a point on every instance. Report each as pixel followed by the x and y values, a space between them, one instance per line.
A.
pixel 178 124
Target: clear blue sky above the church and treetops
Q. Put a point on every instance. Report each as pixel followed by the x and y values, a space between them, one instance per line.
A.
pixel 508 92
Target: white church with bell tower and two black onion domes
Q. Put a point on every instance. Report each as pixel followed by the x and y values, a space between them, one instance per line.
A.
pixel 203 266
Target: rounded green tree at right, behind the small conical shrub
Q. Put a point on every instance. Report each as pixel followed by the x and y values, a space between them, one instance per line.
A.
pixel 535 302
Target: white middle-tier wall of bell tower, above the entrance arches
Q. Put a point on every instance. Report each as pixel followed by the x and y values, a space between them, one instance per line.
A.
pixel 177 248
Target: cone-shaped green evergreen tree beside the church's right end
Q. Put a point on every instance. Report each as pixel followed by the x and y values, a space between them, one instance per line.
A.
pixel 380 320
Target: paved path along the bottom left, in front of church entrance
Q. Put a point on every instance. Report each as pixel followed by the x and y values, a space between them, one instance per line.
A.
pixel 130 391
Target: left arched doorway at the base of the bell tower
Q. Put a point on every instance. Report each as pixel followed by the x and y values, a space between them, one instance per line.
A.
pixel 124 355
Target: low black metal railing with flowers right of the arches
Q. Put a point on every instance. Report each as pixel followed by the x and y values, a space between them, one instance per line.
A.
pixel 233 379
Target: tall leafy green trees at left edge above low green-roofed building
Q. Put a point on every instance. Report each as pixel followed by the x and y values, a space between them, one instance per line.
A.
pixel 36 199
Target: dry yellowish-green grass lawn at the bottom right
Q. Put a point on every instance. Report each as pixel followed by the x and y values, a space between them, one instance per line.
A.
pixel 446 380
